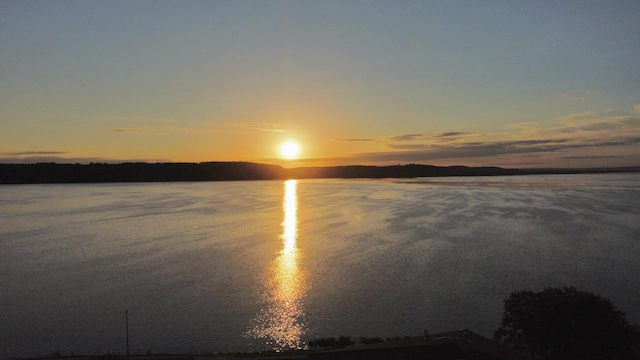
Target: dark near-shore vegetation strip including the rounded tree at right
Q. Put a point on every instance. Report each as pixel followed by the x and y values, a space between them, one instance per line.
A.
pixel 555 323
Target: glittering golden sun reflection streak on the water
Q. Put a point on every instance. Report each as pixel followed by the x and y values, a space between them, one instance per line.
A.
pixel 282 324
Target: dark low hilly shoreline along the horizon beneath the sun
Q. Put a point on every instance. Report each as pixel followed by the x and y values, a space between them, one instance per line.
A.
pixel 42 173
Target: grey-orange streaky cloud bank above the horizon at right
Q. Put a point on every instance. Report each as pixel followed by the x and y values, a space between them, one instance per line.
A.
pixel 581 136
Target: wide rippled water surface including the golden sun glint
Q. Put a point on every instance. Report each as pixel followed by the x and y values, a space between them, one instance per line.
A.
pixel 236 266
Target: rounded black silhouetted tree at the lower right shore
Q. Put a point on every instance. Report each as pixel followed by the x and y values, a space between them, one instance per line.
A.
pixel 565 323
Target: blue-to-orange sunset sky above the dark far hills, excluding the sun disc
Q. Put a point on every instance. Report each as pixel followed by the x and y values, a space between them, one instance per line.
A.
pixel 507 83
